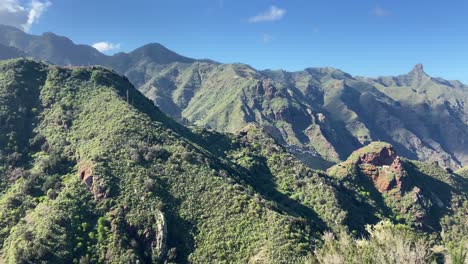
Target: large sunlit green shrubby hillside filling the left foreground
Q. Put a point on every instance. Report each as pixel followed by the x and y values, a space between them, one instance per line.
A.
pixel 93 178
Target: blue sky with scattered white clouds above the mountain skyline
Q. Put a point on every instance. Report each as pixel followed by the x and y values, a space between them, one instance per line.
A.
pixel 361 37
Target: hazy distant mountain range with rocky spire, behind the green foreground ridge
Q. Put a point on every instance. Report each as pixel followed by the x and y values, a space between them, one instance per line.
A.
pixel 320 114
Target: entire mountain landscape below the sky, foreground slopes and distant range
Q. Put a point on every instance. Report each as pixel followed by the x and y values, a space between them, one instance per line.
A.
pixel 153 157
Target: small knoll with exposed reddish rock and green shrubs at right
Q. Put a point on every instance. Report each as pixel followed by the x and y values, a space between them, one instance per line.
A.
pixel 418 193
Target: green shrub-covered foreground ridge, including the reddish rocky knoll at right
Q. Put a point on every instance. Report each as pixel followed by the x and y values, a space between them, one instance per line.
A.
pixel 91 171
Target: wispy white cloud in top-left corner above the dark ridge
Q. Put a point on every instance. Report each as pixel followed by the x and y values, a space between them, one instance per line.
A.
pixel 13 13
